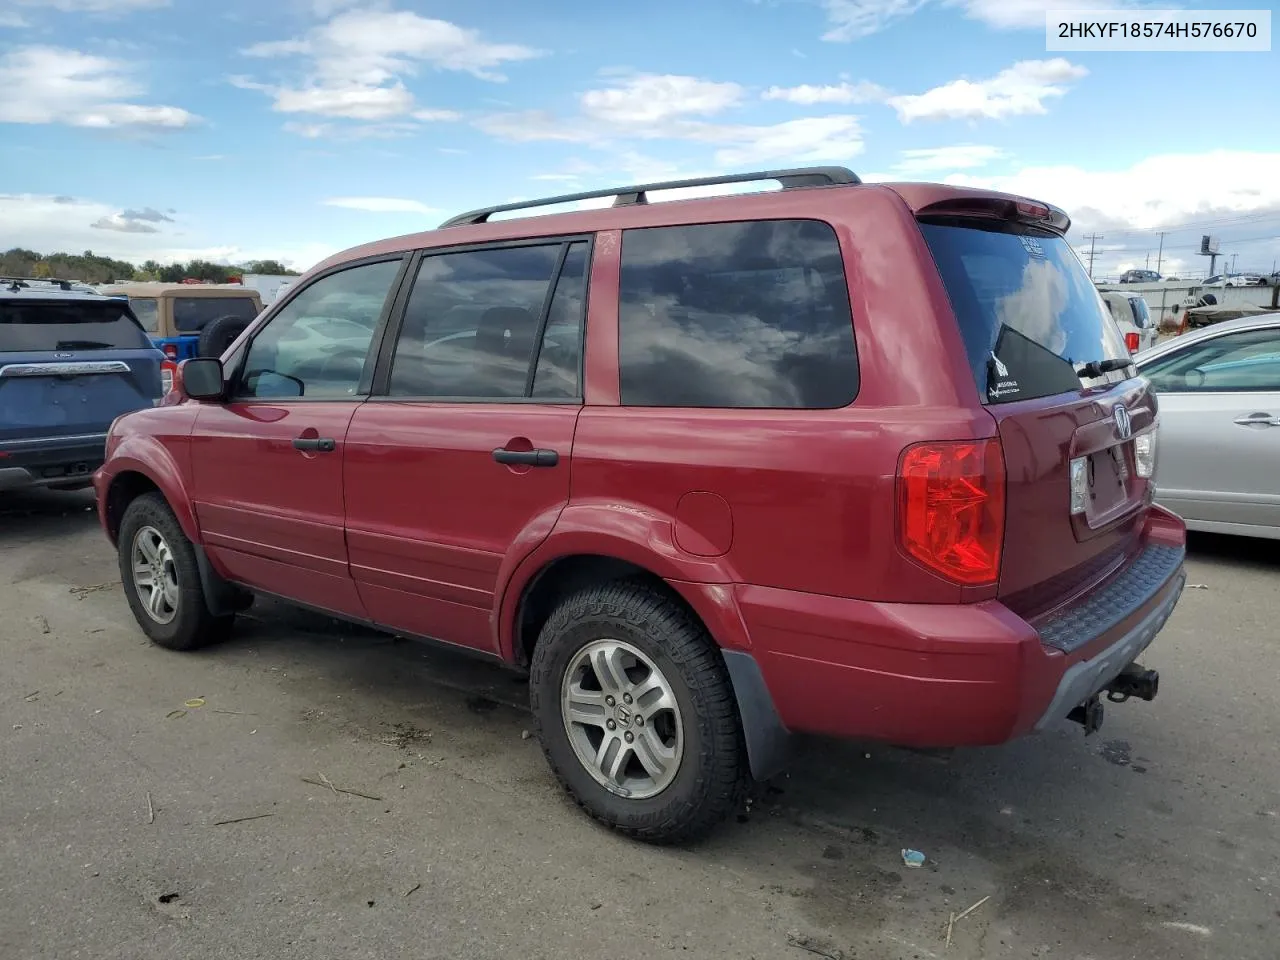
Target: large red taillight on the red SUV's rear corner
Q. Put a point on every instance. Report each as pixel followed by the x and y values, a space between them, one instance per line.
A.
pixel 952 509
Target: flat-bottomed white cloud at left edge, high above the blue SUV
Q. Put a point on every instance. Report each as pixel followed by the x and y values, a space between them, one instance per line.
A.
pixel 57 85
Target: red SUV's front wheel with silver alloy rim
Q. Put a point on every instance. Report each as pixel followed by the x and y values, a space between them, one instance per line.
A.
pixel 162 579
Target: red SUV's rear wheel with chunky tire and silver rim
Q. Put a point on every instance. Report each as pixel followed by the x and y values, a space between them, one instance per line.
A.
pixel 636 712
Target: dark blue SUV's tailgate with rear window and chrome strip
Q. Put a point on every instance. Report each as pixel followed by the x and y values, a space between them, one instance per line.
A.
pixel 70 367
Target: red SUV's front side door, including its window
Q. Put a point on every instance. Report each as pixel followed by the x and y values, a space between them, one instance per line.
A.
pixel 267 464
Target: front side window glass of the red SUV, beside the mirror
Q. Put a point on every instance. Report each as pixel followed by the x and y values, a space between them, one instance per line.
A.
pixel 318 345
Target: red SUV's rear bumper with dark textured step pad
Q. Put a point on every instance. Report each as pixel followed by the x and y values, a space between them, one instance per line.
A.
pixel 924 675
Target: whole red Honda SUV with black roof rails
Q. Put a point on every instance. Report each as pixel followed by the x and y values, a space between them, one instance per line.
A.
pixel 838 459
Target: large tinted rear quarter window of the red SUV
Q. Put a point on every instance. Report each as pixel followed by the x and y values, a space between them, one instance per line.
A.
pixel 737 316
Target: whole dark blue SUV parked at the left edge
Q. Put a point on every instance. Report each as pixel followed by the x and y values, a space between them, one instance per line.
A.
pixel 71 362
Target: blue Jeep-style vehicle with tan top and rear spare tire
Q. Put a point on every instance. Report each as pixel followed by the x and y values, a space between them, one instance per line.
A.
pixel 188 319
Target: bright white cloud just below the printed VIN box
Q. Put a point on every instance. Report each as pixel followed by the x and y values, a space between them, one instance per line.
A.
pixel 1016 92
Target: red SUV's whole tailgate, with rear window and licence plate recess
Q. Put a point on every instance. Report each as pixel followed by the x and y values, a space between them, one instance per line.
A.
pixel 1032 322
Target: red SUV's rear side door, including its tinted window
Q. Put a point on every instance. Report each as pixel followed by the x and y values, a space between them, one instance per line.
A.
pixel 464 450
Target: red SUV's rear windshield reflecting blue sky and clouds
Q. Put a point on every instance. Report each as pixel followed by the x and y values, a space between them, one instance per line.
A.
pixel 1028 313
